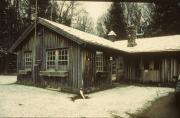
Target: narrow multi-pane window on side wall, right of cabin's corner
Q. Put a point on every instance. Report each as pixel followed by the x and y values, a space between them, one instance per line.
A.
pixel 99 62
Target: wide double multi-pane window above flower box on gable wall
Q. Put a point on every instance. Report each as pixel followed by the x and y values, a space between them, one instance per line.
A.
pixel 57 59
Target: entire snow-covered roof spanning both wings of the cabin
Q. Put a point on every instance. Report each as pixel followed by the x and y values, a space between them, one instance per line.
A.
pixel 154 44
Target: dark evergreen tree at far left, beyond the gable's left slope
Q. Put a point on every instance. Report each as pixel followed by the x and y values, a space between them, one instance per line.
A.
pixel 10 22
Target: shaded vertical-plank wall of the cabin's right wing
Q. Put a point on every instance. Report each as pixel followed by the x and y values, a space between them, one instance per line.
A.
pixel 167 66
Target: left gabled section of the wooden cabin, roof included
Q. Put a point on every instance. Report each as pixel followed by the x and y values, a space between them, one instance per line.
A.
pixel 62 57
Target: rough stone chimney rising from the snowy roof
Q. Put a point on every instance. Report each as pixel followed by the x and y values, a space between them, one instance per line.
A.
pixel 131 36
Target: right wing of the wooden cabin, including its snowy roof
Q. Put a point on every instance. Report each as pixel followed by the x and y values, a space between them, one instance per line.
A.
pixel 152 60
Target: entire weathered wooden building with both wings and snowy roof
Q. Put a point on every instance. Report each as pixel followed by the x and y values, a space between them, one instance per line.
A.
pixel 63 57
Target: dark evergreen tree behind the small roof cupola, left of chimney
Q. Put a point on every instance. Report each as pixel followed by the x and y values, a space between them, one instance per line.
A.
pixel 115 21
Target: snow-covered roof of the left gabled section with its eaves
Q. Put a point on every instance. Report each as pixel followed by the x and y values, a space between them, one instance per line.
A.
pixel 76 35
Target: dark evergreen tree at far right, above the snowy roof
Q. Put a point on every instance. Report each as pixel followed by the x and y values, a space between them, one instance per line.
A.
pixel 165 20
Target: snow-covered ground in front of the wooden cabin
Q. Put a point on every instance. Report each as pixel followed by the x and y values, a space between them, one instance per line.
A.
pixel 22 101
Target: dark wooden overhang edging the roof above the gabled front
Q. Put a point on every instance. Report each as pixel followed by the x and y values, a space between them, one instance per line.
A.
pixel 60 31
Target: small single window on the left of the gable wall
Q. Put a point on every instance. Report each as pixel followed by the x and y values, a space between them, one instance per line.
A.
pixel 28 59
